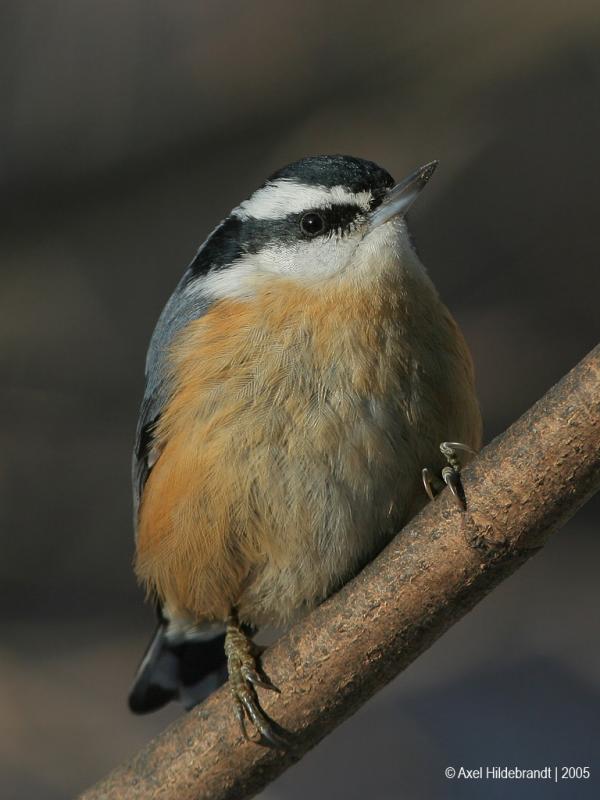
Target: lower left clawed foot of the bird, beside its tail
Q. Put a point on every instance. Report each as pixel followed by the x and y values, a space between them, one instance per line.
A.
pixel 244 676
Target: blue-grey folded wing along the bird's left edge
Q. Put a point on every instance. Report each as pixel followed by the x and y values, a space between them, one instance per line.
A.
pixel 187 303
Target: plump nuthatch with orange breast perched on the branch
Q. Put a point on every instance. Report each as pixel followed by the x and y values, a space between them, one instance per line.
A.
pixel 299 383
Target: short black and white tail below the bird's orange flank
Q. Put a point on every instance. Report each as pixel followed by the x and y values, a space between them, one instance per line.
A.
pixel 186 669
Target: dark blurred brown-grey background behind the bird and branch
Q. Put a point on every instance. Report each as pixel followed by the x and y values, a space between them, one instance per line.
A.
pixel 128 130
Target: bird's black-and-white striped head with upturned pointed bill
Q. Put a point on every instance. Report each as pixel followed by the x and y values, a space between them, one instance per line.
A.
pixel 319 217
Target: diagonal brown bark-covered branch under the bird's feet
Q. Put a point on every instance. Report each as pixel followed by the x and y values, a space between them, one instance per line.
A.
pixel 523 486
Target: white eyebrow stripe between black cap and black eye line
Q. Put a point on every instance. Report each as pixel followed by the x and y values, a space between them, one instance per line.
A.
pixel 279 198
